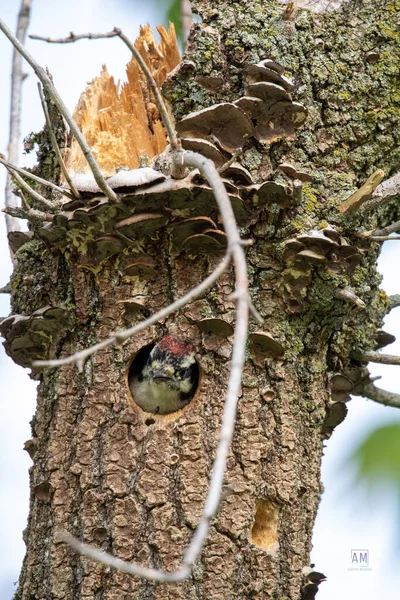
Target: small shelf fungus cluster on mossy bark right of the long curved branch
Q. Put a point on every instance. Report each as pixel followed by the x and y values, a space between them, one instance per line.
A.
pixel 326 248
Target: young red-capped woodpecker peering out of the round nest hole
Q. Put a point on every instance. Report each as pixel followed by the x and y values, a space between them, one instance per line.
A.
pixel 168 379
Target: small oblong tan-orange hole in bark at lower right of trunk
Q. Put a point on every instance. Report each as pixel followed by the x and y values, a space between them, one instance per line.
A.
pixel 264 532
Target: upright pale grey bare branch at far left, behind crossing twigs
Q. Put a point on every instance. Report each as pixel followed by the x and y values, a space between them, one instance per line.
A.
pixel 17 77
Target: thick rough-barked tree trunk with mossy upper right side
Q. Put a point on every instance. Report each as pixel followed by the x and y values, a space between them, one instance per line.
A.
pixel 133 483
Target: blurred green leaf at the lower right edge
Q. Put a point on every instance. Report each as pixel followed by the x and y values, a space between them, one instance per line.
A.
pixel 377 458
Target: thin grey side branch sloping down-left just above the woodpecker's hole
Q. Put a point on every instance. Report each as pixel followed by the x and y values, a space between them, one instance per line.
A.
pixel 119 337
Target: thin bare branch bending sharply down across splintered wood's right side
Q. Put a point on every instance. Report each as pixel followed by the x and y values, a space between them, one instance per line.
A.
pixel 173 138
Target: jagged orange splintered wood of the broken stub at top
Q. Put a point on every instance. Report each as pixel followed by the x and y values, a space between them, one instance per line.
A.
pixel 122 124
